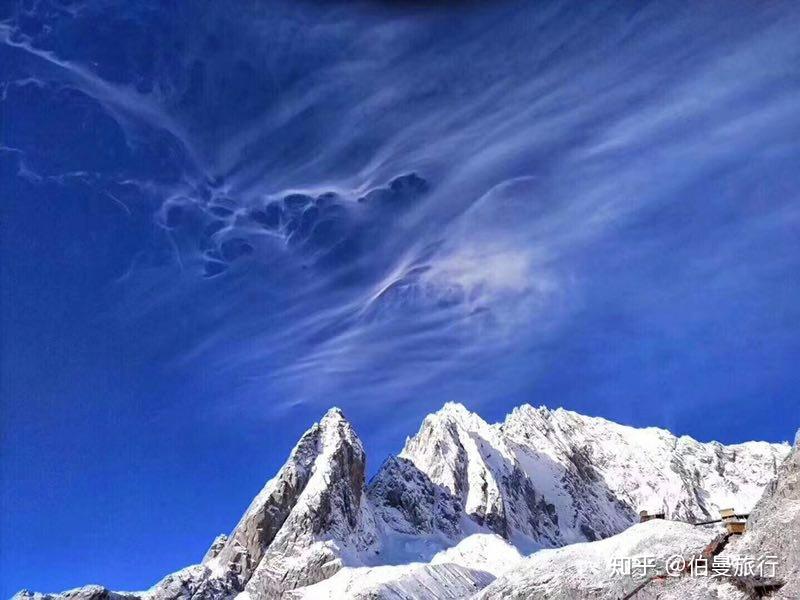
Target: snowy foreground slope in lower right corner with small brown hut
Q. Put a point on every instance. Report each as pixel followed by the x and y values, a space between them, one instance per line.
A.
pixel 581 571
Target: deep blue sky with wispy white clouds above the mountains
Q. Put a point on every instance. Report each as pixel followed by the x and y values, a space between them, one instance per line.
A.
pixel 219 221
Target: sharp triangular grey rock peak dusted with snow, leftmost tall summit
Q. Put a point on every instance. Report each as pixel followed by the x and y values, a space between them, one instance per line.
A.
pixel 316 497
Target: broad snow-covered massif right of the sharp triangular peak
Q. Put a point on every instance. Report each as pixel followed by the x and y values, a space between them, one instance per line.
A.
pixel 547 478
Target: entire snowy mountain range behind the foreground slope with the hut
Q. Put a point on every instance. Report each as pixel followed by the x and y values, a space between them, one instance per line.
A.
pixel 453 510
